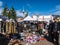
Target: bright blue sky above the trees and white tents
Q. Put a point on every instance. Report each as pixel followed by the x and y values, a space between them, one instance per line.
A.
pixel 42 7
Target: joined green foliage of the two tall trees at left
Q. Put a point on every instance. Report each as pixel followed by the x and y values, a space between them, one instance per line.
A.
pixel 9 13
